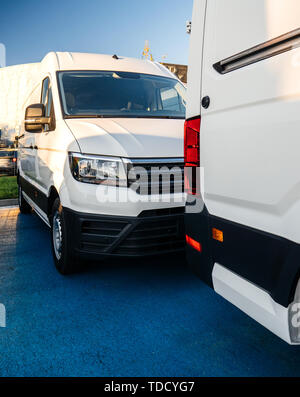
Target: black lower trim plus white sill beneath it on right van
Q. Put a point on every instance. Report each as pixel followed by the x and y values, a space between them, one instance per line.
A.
pixel 256 271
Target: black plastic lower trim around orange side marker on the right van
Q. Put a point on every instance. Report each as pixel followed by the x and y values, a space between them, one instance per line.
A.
pixel 269 262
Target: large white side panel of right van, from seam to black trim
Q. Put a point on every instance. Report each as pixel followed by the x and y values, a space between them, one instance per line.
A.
pixel 250 134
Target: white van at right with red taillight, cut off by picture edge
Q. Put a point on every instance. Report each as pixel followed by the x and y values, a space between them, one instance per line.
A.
pixel 243 130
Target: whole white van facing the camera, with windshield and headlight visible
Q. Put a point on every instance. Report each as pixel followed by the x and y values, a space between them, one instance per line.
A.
pixel 101 157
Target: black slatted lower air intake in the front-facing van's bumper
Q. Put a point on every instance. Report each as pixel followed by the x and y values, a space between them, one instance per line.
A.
pixel 153 232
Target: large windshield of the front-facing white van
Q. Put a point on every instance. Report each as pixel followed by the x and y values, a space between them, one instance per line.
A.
pixel 121 94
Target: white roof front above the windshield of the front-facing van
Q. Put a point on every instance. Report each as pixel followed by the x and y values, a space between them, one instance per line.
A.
pixel 56 61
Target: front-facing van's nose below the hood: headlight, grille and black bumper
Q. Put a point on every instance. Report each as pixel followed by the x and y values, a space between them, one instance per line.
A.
pixel 133 207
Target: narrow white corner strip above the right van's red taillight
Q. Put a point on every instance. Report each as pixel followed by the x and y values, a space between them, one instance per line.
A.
pixel 195 59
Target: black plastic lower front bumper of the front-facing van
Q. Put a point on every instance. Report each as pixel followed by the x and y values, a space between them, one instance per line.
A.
pixel 154 232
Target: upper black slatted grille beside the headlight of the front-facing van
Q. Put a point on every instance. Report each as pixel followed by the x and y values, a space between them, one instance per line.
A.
pixel 156 176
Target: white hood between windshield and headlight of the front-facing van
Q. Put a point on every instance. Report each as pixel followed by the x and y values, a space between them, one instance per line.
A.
pixel 129 137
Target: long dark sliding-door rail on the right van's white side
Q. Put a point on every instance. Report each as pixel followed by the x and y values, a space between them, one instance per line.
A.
pixel 268 49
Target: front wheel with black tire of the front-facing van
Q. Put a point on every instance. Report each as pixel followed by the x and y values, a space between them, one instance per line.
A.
pixel 64 260
